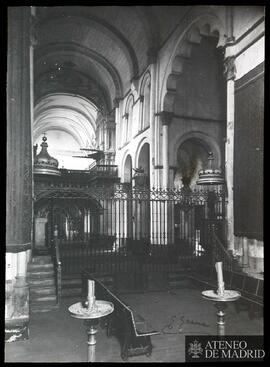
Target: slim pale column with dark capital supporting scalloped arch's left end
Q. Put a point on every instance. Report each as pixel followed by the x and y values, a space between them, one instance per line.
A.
pixel 166 118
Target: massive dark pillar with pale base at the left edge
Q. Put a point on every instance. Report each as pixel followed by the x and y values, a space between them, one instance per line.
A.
pixel 19 174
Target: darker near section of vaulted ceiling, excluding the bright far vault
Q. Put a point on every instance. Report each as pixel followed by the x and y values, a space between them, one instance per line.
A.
pixel 100 48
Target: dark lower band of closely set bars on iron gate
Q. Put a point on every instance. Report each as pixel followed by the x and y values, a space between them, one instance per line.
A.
pixel 135 257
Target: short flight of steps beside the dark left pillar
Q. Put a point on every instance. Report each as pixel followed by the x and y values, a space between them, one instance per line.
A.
pixel 41 279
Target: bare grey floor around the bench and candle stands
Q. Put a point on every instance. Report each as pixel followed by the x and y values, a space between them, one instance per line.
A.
pixel 57 337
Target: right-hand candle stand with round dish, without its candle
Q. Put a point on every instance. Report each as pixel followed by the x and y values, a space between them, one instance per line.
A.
pixel 221 305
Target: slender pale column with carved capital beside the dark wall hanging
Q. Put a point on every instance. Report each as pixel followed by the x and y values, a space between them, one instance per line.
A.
pixel 229 159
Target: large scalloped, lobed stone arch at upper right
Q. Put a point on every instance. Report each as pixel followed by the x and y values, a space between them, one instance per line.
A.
pixel 203 25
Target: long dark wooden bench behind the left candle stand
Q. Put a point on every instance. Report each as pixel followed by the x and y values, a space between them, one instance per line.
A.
pixel 132 331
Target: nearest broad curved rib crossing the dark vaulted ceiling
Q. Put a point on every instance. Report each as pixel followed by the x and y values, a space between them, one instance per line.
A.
pixel 89 33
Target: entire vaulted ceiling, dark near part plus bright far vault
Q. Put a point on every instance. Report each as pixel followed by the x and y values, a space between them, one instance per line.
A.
pixel 85 57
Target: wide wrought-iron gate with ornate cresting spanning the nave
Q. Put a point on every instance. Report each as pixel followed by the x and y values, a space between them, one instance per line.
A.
pixel 124 229
